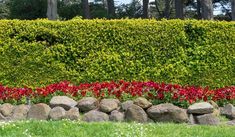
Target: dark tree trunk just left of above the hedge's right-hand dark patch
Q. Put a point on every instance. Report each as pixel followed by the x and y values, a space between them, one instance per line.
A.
pixel 179 9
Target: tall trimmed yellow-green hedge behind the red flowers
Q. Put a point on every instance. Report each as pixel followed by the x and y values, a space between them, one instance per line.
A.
pixel 191 52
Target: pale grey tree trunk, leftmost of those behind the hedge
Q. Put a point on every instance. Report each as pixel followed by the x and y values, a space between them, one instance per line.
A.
pixel 52 9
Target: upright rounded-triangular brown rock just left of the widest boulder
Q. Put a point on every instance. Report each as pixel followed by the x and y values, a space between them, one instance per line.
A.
pixel 136 113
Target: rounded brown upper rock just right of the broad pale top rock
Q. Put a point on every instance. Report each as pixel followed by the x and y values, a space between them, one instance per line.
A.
pixel 87 104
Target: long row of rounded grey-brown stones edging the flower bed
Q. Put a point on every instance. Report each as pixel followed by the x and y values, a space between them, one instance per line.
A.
pixel 139 110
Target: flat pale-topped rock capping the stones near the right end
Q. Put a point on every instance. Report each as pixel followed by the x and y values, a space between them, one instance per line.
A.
pixel 201 108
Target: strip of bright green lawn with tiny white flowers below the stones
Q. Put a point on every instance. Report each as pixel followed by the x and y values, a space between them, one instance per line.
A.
pixel 107 129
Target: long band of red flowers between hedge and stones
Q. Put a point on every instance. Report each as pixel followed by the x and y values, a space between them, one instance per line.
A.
pixel 121 89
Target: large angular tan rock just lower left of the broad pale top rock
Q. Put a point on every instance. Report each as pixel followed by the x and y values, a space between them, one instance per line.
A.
pixel 39 112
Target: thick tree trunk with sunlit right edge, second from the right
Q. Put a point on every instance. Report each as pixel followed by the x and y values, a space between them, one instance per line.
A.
pixel 207 9
